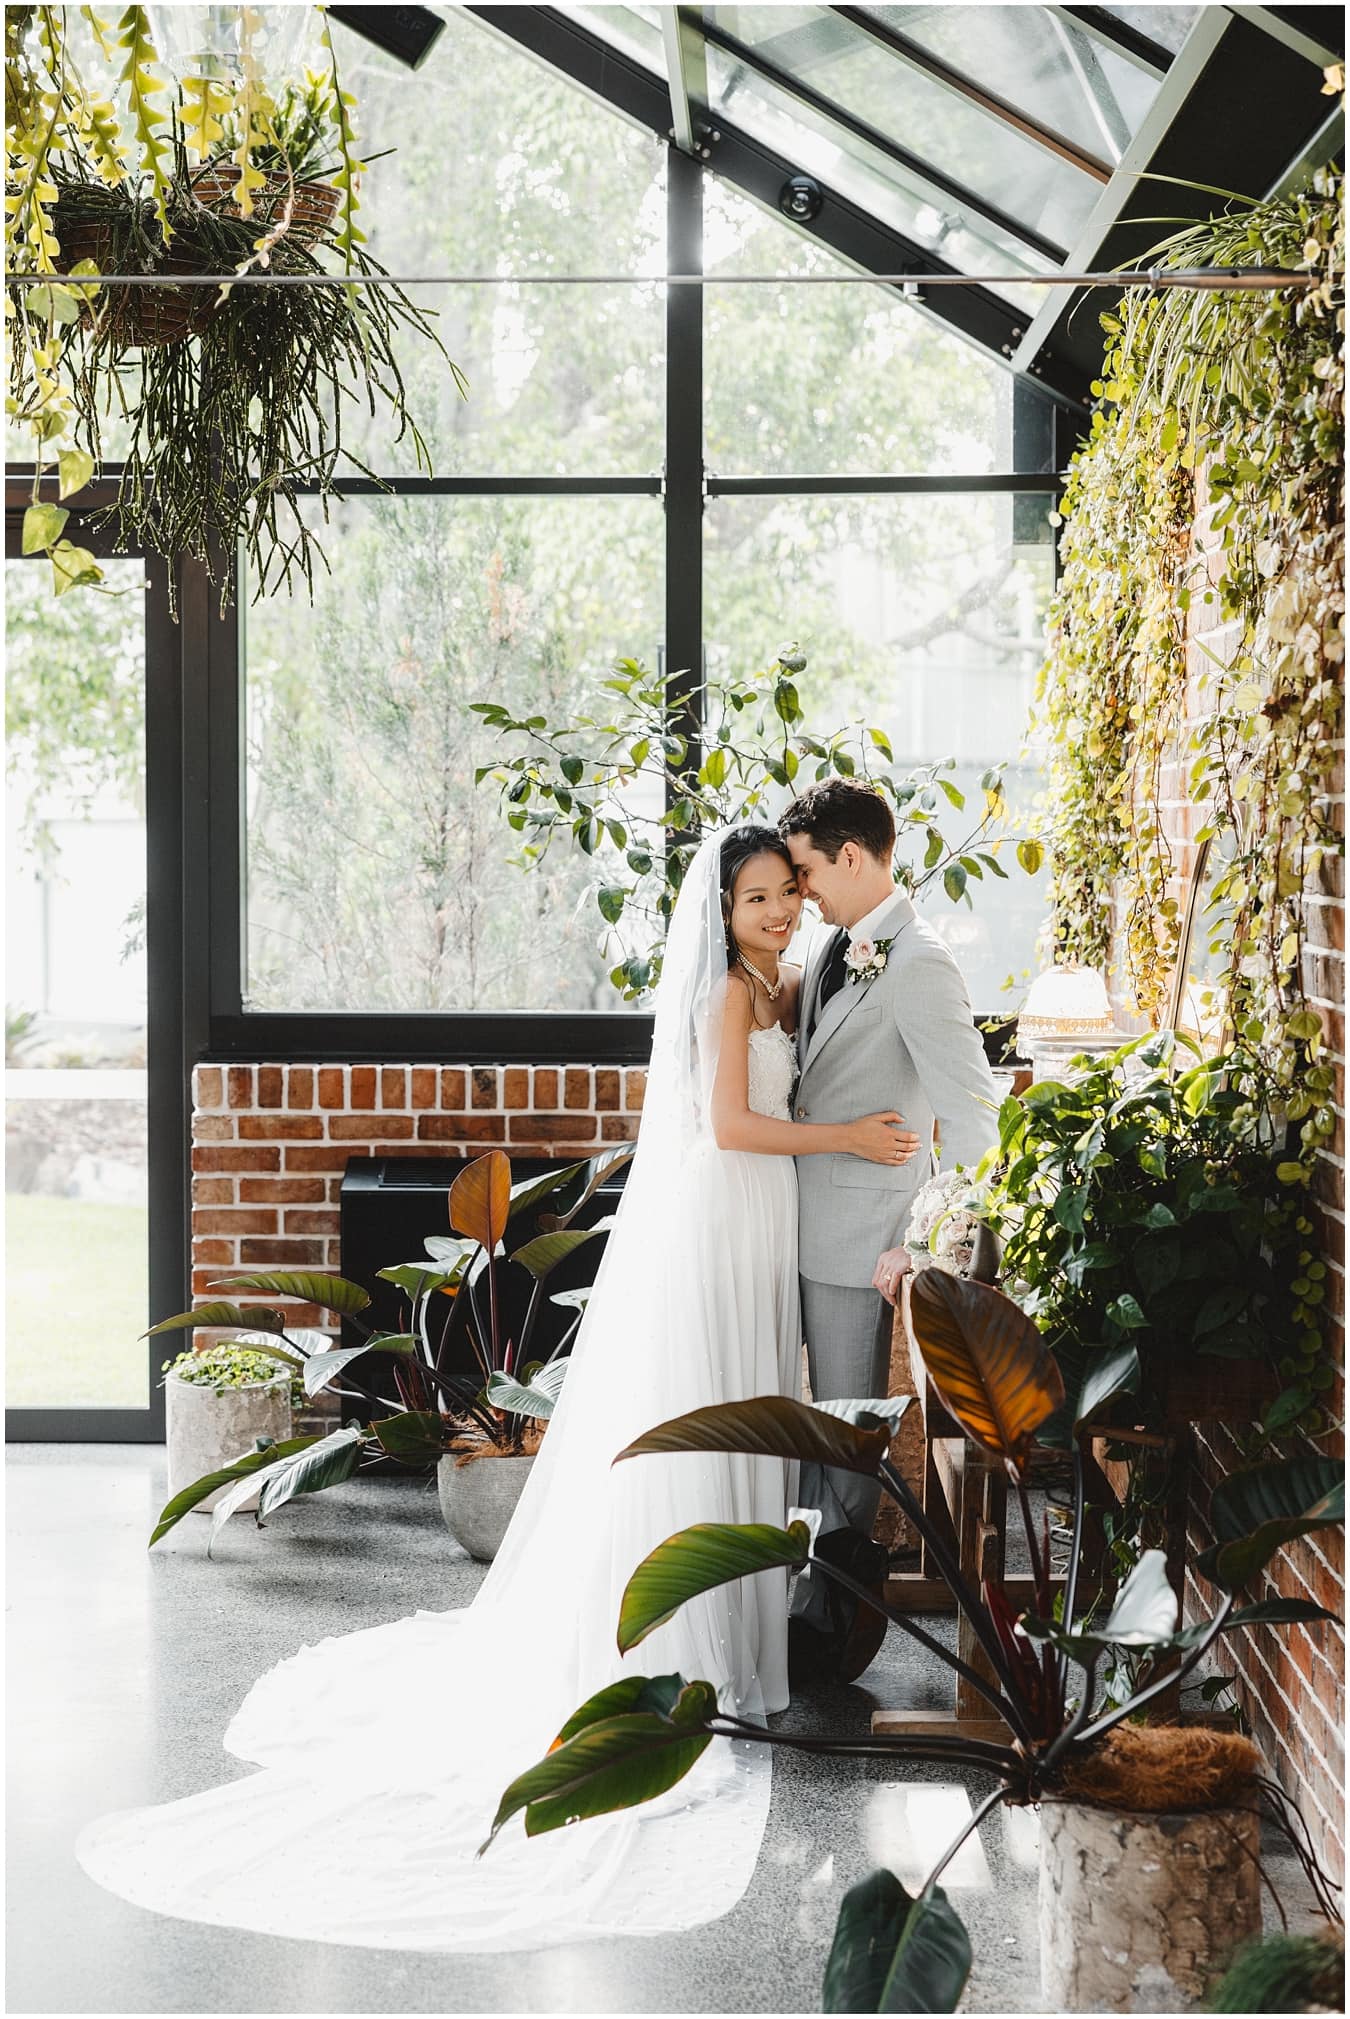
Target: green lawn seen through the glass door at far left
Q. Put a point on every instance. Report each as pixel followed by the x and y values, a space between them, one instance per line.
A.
pixel 76 1303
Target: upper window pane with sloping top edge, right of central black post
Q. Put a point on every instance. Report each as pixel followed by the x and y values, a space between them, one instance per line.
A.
pixel 834 379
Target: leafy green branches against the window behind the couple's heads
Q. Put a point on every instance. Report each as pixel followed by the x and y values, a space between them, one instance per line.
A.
pixel 637 786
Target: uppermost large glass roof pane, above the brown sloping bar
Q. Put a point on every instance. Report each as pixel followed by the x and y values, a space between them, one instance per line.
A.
pixel 1042 62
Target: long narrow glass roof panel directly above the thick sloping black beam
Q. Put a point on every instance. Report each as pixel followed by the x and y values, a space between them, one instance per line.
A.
pixel 869 179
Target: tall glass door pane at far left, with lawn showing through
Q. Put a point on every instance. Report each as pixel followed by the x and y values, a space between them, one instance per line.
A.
pixel 76 994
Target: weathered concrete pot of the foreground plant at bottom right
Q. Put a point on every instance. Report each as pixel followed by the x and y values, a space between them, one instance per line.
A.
pixel 1141 1911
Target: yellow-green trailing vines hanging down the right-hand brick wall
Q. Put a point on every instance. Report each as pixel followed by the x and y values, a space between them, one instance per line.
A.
pixel 1226 403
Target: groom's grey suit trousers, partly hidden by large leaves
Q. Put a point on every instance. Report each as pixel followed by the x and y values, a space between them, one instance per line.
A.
pixel 849 1354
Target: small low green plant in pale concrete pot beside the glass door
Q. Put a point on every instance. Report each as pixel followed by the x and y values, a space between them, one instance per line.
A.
pixel 223 1402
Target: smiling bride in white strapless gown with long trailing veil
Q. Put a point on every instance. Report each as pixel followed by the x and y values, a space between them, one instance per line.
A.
pixel 384 1754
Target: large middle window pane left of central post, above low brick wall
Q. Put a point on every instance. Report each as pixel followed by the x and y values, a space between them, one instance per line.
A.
pixel 378 875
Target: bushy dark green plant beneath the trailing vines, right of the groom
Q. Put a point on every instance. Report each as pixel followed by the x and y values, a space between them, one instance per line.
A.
pixel 1149 1216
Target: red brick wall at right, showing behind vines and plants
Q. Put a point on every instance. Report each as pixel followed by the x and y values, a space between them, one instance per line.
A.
pixel 1290 1679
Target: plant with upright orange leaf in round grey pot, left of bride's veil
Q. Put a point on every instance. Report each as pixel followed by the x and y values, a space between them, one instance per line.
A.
pixel 479 1428
